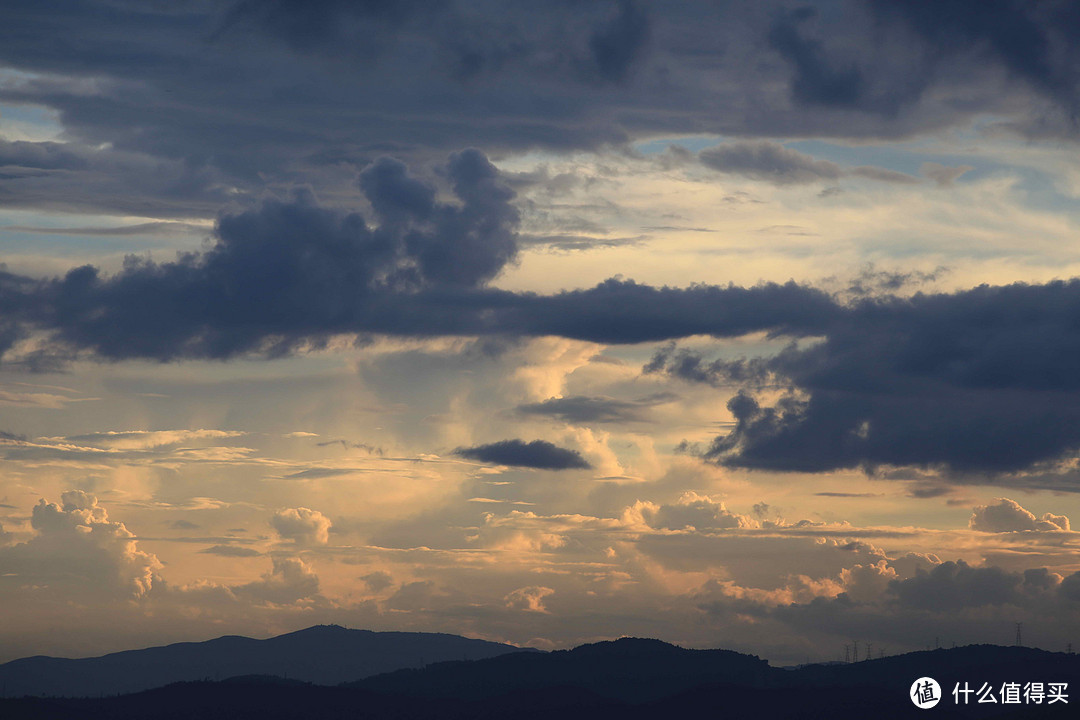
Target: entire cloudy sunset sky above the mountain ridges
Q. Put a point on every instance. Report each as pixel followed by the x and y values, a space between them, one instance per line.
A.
pixel 748 325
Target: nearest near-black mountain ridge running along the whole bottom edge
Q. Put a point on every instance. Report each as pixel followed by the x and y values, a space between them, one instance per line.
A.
pixel 629 680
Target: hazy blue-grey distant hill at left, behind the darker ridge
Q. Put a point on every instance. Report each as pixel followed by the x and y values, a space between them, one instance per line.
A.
pixel 323 655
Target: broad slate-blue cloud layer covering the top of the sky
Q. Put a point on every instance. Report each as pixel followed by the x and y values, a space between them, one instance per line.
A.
pixel 169 108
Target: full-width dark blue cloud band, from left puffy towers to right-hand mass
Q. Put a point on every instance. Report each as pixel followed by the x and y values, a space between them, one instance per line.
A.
pixel 978 383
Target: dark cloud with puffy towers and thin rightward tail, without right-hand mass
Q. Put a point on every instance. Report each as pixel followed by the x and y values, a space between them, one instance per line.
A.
pixel 293 273
